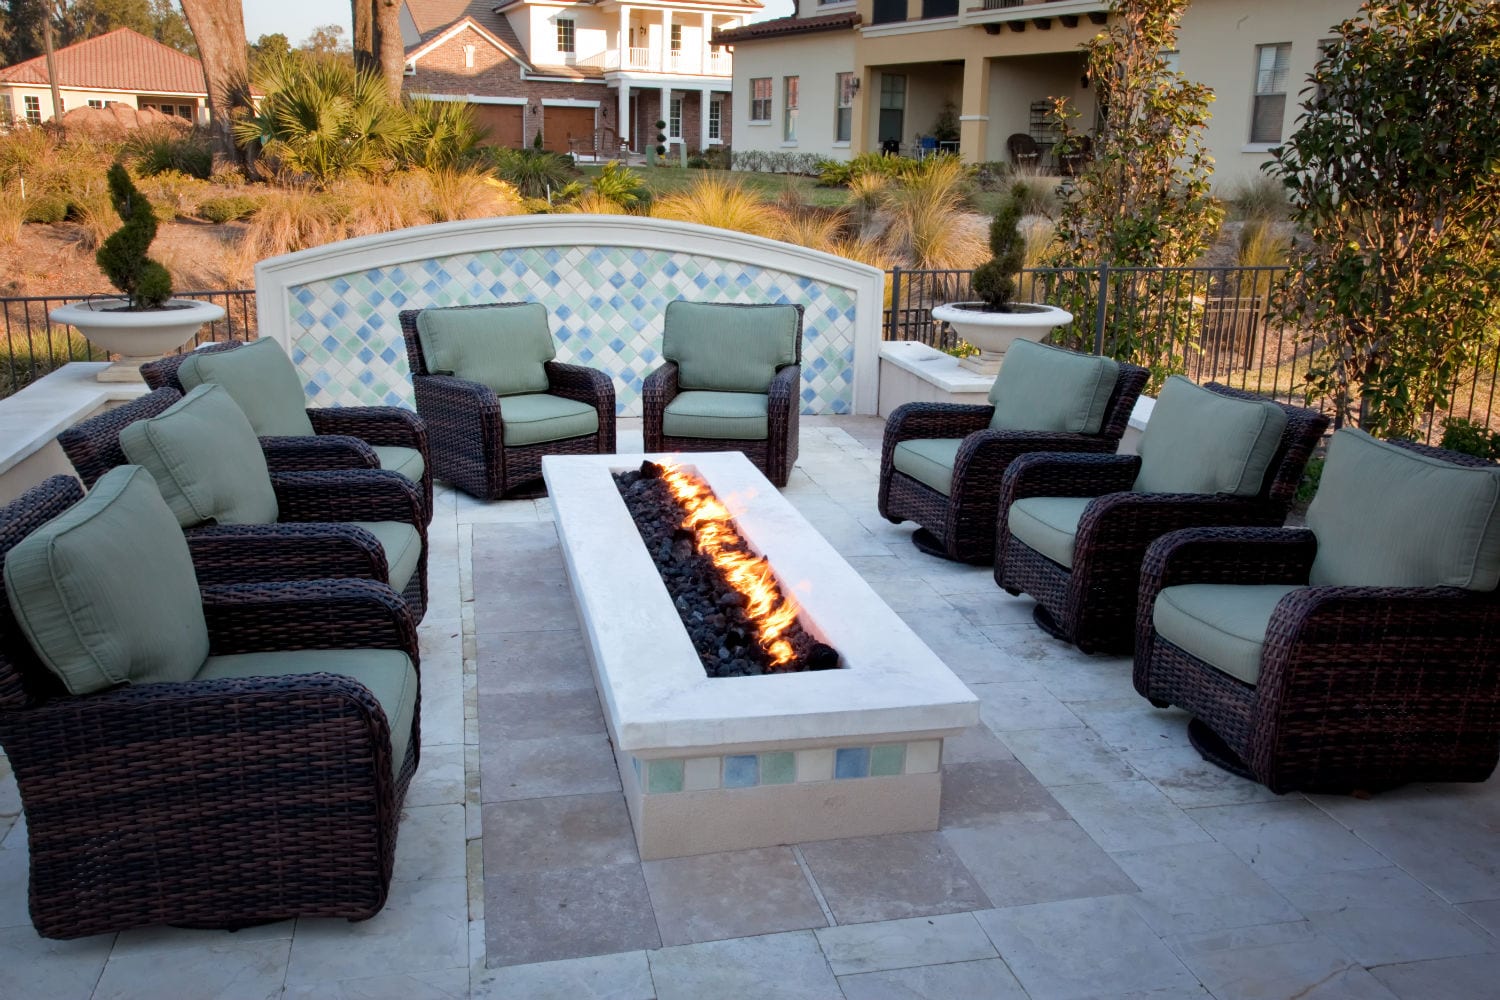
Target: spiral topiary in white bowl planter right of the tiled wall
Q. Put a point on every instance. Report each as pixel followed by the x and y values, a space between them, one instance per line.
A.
pixel 995 323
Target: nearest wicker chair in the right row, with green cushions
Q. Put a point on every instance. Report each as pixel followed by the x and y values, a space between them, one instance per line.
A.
pixel 1357 654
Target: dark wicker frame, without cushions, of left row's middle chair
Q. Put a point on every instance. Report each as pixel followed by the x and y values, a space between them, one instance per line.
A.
pixel 313 539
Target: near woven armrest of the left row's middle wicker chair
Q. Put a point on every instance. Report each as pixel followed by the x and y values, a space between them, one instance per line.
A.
pixel 253 554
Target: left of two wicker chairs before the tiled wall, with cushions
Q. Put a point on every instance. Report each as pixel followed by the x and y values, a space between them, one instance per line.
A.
pixel 496 401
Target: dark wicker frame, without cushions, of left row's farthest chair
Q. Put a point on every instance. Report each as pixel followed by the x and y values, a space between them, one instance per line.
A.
pixel 346 437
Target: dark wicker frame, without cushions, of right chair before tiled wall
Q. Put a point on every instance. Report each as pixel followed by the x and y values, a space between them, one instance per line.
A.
pixel 773 455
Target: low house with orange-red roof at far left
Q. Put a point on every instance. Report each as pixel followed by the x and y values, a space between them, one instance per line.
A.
pixel 121 67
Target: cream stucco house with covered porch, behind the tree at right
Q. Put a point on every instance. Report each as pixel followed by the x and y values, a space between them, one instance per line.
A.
pixel 889 70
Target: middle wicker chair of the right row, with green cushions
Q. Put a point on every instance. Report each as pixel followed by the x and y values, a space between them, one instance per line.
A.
pixel 1073 528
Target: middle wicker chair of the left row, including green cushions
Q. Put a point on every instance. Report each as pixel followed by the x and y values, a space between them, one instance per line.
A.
pixel 245 524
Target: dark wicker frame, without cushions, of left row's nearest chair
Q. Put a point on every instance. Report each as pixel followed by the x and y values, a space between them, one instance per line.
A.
pixel 211 803
